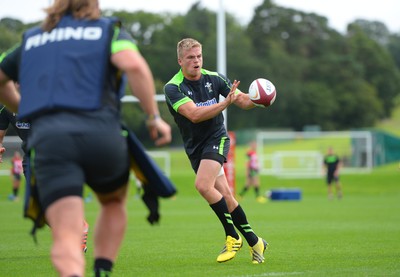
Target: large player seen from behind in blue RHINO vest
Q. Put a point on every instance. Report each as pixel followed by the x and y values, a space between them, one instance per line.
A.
pixel 68 73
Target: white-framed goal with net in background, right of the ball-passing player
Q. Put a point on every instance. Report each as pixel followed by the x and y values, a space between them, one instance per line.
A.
pixel 300 154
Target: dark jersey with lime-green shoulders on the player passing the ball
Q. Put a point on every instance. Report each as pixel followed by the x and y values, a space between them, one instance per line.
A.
pixel 203 92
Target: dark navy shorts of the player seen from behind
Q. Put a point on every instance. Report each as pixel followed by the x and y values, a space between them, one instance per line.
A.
pixel 63 163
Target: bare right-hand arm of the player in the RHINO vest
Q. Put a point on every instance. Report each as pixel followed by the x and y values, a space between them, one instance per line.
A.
pixel 140 80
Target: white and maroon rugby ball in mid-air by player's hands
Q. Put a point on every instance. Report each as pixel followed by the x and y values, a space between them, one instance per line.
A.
pixel 262 92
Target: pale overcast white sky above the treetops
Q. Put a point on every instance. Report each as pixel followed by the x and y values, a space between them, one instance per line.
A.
pixel 338 12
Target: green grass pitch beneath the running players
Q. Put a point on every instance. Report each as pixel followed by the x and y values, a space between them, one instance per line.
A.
pixel 357 236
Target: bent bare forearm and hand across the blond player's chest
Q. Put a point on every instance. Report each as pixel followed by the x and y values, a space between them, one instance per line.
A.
pixel 198 114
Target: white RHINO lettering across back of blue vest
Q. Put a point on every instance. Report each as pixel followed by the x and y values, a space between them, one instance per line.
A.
pixel 64 34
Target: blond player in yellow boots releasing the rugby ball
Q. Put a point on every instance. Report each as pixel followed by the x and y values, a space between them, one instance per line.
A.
pixel 193 99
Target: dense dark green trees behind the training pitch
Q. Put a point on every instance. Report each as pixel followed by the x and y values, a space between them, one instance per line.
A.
pixel 324 78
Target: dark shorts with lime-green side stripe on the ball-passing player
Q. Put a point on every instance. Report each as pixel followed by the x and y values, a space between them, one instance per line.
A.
pixel 216 150
